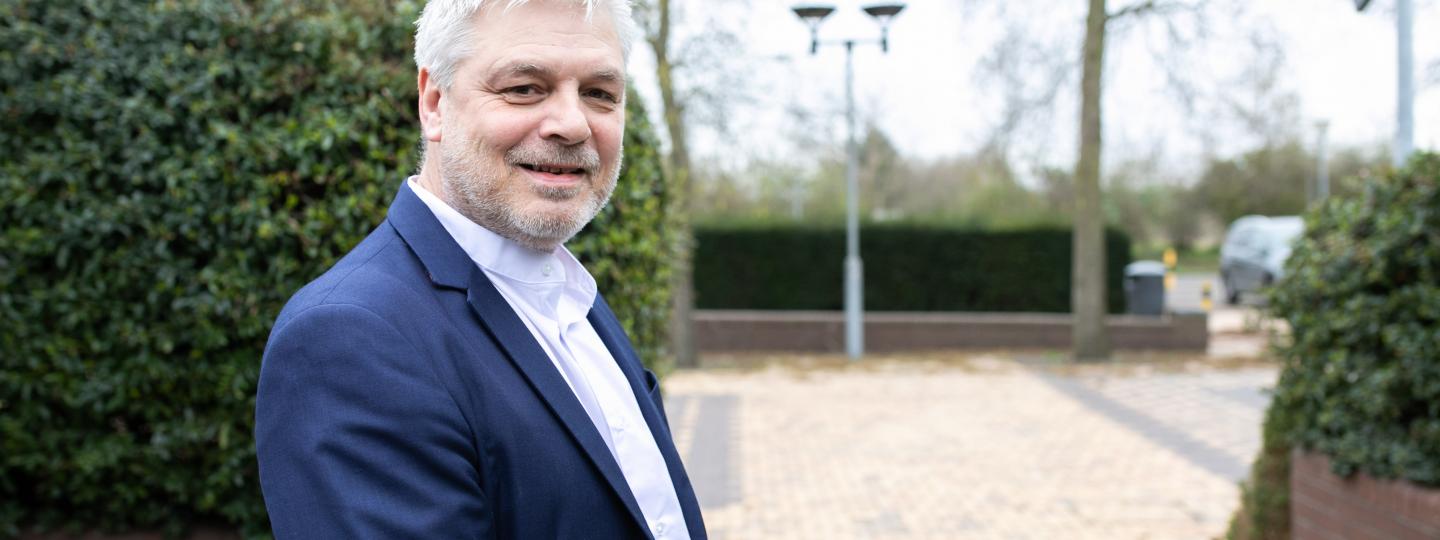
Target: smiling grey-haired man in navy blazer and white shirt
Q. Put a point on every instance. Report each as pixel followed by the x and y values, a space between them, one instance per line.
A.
pixel 457 375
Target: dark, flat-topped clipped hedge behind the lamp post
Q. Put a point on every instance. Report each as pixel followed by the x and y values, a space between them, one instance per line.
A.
pixel 906 269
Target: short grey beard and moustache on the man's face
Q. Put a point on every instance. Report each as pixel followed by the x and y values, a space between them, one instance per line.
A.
pixel 479 194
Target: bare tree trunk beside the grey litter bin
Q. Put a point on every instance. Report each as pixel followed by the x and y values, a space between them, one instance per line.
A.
pixel 1091 339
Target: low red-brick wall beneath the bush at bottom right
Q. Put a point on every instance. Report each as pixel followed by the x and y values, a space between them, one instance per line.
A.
pixel 1326 506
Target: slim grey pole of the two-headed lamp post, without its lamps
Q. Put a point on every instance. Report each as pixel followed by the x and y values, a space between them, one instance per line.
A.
pixel 855 303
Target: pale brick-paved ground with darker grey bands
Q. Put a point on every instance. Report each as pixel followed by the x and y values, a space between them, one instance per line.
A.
pixel 968 447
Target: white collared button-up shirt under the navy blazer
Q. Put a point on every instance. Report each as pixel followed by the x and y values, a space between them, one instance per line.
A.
pixel 554 294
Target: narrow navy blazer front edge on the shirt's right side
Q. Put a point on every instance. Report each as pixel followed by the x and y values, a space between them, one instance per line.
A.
pixel 610 330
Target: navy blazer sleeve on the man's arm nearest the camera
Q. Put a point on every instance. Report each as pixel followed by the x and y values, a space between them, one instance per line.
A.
pixel 358 438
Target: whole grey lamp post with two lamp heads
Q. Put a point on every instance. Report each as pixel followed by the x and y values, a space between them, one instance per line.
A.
pixel 855 270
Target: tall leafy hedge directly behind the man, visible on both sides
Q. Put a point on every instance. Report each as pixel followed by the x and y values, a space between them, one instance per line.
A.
pixel 171 174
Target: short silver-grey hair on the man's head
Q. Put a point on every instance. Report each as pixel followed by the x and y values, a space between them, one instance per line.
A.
pixel 444 31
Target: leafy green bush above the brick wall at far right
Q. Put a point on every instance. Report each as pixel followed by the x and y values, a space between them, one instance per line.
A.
pixel 1362 378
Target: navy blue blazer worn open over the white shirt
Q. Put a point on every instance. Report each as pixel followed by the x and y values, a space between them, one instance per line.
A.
pixel 402 398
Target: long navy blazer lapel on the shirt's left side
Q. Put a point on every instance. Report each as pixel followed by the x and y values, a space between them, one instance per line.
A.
pixel 450 267
